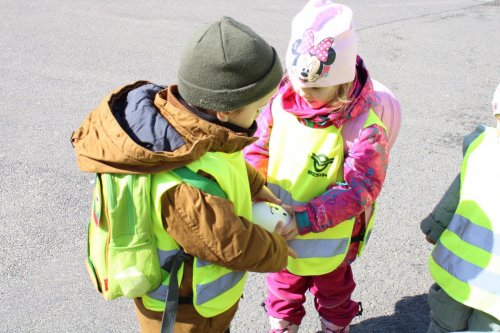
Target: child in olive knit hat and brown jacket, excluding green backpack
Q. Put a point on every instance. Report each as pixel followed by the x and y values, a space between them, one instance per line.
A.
pixel 227 72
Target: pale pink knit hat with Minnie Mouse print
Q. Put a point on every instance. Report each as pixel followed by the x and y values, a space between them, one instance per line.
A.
pixel 323 47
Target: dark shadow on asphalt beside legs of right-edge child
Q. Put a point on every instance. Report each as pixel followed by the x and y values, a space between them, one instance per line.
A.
pixel 411 315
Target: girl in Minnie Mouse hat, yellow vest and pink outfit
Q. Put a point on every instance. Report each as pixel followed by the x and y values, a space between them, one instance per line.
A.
pixel 323 145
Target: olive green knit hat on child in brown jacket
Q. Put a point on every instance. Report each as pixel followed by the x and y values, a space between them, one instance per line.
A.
pixel 226 66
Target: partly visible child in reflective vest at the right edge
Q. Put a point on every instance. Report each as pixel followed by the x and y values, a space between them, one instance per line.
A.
pixel 465 226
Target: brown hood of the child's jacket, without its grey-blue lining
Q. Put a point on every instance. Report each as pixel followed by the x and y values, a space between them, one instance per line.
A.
pixel 102 146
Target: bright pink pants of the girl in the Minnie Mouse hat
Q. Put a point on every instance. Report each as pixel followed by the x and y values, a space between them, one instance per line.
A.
pixel 332 295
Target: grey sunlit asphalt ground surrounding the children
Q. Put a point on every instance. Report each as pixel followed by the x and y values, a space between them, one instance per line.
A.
pixel 59 58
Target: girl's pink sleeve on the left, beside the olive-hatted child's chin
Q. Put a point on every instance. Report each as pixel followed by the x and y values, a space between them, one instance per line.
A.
pixel 257 154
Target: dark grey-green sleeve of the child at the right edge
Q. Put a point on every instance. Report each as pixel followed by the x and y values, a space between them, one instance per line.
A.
pixel 437 221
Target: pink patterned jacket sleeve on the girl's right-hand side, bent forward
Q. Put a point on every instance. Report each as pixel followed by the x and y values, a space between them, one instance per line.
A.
pixel 365 167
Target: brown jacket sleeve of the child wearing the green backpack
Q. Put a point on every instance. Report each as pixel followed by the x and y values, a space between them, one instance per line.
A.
pixel 206 227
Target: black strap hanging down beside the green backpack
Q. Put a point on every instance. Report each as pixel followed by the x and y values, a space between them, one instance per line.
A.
pixel 172 297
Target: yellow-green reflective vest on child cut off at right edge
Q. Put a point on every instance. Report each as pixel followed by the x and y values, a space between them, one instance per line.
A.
pixel 465 261
